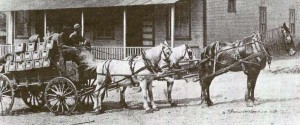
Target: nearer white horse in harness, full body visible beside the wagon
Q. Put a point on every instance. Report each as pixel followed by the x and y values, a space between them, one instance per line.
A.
pixel 117 73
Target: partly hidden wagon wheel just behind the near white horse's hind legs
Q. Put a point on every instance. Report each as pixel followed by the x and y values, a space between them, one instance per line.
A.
pixel 87 90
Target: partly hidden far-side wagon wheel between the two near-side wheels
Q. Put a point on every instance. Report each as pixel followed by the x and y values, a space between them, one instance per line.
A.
pixel 33 97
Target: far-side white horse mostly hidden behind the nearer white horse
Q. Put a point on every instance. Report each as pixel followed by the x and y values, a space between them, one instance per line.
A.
pixel 178 53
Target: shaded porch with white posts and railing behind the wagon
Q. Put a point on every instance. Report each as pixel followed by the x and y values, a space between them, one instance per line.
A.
pixel 117 29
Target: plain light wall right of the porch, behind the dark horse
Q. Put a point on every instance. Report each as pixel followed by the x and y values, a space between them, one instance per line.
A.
pixel 222 25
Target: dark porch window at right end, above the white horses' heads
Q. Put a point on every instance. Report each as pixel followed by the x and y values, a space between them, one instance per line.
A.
pixel 182 20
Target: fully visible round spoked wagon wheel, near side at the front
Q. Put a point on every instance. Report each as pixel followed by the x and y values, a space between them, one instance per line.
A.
pixel 61 96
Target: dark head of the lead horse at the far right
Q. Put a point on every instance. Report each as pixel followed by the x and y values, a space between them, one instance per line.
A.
pixel 288 40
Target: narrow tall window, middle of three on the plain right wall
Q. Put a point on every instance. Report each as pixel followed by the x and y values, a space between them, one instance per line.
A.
pixel 262 19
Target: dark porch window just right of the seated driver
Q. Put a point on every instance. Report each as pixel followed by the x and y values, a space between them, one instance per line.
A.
pixel 104 27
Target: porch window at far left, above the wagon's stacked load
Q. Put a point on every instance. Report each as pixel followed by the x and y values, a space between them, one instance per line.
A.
pixel 23 24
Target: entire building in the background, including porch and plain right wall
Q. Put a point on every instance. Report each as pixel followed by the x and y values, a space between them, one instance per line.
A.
pixel 124 27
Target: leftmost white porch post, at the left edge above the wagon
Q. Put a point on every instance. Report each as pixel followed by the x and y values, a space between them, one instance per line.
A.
pixel 10 28
